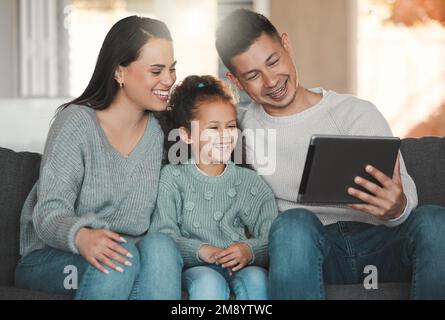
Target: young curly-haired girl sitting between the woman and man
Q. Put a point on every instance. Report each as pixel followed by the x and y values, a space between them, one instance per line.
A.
pixel 207 203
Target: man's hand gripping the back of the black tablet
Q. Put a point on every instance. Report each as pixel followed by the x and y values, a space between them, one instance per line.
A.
pixel 387 202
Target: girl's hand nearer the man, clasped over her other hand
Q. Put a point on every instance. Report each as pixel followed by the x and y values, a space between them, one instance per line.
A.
pixel 235 257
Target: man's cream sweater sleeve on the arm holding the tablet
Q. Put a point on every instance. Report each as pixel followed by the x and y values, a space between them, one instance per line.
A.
pixel 365 119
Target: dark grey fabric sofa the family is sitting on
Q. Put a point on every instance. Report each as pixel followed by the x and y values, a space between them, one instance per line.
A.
pixel 425 160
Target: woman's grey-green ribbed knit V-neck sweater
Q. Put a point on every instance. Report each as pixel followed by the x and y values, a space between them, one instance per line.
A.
pixel 85 182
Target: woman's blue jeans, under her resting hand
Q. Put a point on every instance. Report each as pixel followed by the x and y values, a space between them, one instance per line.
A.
pixel 155 272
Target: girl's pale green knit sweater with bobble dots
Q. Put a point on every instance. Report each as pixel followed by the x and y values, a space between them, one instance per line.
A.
pixel 195 209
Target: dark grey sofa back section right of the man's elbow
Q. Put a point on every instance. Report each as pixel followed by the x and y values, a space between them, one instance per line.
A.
pixel 425 162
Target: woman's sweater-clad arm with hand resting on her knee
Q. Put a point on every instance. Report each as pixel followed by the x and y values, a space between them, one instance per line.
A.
pixel 54 216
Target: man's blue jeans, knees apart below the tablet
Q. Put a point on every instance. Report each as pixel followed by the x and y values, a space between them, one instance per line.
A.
pixel 305 255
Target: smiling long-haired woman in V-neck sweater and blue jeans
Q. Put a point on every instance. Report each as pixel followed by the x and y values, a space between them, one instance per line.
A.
pixel 90 210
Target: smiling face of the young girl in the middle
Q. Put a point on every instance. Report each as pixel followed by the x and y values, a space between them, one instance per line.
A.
pixel 214 132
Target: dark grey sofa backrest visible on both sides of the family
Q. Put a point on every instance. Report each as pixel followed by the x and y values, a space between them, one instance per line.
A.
pixel 424 158
